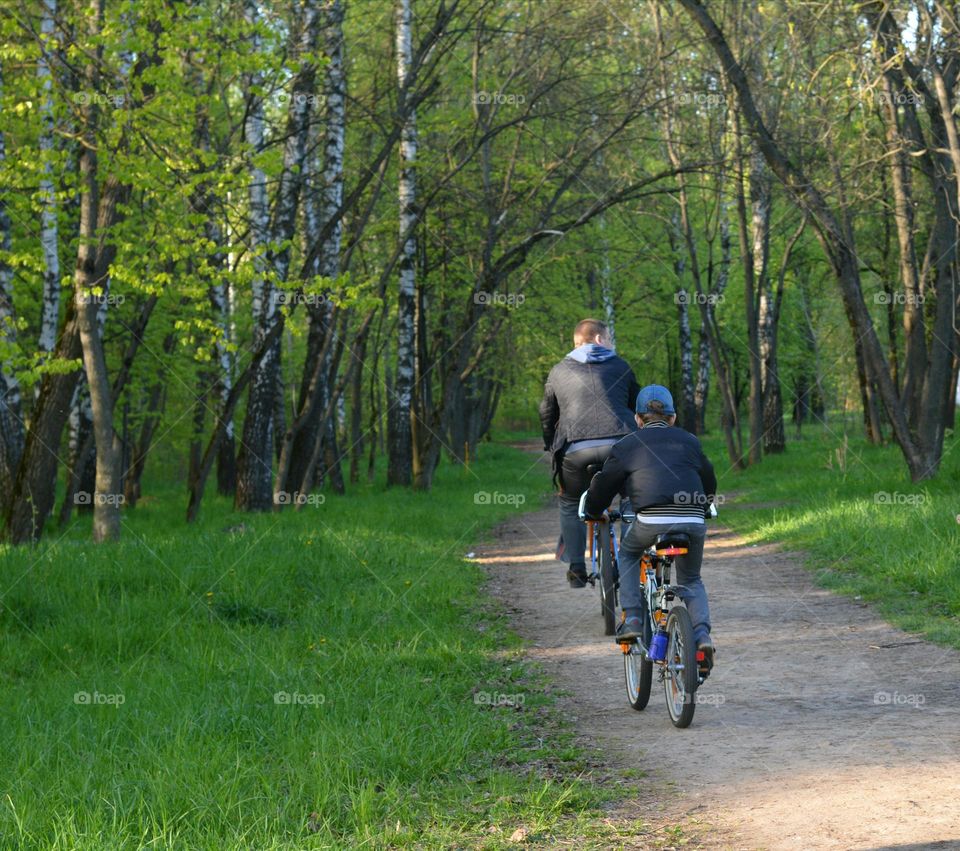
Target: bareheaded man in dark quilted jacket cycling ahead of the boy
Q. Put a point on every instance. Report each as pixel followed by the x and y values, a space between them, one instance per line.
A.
pixel 587 406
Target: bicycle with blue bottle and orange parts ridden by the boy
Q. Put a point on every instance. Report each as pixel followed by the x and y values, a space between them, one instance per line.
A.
pixel 667 642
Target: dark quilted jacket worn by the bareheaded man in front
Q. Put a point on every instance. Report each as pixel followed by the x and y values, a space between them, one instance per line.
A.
pixel 588 400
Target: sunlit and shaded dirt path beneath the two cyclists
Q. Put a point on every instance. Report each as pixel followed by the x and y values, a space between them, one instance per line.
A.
pixel 822 727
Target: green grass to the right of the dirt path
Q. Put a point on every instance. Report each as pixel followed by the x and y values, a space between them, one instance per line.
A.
pixel 866 529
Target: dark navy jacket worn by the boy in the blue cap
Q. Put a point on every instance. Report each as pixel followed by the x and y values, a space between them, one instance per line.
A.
pixel 661 466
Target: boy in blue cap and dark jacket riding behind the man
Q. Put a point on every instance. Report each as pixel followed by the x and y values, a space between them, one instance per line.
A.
pixel 671 484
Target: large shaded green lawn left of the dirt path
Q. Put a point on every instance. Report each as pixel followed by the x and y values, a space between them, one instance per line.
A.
pixel 308 680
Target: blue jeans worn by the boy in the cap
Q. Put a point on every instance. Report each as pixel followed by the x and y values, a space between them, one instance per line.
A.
pixel 687 569
